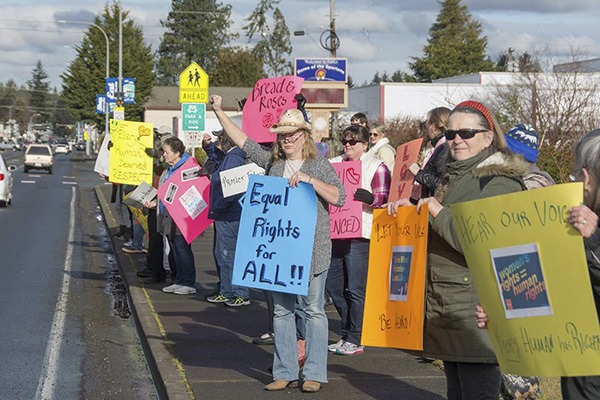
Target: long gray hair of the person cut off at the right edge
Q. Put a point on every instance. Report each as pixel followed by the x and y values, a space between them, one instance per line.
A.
pixel 587 156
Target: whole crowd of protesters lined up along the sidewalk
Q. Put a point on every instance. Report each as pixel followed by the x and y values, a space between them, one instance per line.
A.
pixel 466 156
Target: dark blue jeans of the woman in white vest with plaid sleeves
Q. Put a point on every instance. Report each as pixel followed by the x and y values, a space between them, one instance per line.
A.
pixel 347 284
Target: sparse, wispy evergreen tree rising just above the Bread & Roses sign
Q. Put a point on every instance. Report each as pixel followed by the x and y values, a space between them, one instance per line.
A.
pixel 272 47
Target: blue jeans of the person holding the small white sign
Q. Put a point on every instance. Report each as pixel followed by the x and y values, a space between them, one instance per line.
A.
pixel 225 242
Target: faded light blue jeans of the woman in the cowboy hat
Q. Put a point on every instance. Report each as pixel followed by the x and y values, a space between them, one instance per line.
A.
pixel 285 358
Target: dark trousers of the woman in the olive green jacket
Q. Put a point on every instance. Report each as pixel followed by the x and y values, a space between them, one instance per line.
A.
pixel 467 381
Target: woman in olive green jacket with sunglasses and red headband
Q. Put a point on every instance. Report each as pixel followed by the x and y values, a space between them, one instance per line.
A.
pixel 479 166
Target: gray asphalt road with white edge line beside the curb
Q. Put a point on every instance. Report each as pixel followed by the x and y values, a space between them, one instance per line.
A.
pixel 64 332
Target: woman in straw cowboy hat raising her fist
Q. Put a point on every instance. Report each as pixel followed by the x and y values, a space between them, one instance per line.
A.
pixel 294 156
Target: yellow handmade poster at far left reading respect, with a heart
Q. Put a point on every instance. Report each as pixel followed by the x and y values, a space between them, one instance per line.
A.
pixel 129 163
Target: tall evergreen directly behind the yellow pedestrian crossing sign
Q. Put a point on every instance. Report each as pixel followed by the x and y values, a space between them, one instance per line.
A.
pixel 196 31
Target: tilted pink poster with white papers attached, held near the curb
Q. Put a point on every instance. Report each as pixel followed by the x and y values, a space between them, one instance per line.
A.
pixel 185 195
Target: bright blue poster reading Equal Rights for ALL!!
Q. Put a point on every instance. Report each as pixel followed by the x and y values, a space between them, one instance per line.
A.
pixel 276 236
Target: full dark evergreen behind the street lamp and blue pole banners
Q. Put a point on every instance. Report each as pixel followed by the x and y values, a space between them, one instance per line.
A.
pixel 85 76
